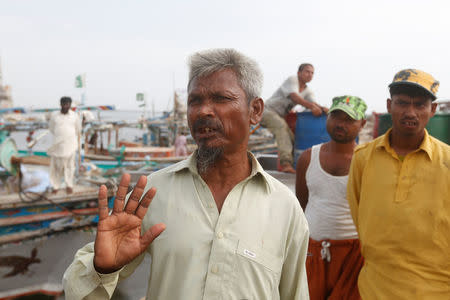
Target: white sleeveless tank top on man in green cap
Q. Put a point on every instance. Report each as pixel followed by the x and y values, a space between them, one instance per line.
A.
pixel 327 211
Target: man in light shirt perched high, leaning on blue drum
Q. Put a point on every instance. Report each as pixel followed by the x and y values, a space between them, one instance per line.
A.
pixel 293 91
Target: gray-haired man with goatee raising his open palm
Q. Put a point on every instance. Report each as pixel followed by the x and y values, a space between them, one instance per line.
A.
pixel 218 226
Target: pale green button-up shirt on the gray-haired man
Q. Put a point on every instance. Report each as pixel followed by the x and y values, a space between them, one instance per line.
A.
pixel 254 249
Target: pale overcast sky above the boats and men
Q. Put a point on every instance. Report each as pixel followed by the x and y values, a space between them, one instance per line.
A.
pixel 128 47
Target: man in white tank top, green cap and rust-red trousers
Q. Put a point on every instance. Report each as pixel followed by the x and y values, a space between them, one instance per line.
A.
pixel 334 257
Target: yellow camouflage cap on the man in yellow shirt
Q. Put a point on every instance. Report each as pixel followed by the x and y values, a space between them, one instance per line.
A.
pixel 417 78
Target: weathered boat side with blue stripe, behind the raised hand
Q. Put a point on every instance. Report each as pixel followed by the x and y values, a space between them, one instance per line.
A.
pixel 28 216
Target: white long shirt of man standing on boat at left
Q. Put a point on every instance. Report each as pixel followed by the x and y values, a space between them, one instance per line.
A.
pixel 65 129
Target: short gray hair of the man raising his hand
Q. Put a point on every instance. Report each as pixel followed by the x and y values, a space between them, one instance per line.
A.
pixel 248 73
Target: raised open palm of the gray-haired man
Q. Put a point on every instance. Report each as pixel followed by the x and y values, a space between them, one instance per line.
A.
pixel 119 239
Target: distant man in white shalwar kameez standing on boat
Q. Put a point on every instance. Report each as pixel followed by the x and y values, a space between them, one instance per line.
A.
pixel 65 126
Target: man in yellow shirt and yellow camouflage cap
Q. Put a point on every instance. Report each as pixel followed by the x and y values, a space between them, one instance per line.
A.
pixel 398 191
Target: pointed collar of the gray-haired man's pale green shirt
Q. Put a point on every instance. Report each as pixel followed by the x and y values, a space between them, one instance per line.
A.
pixel 257 170
